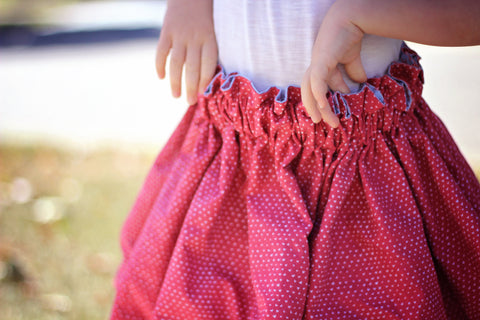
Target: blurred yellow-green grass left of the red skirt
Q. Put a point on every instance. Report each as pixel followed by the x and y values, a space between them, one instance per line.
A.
pixel 60 215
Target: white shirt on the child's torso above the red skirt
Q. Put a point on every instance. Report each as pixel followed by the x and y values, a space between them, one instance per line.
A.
pixel 270 41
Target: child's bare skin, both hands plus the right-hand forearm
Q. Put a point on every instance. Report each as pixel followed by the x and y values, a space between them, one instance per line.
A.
pixel 188 35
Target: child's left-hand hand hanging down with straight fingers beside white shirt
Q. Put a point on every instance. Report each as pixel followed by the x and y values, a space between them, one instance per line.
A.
pixel 188 35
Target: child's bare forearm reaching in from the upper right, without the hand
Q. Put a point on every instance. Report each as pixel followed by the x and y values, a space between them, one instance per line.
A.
pixel 432 22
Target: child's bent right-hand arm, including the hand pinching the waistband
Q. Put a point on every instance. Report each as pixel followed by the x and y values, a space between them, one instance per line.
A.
pixel 432 22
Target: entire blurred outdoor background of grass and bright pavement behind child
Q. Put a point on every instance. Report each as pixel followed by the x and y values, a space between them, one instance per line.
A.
pixel 82 117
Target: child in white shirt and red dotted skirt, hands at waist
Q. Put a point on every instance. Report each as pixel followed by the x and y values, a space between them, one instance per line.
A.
pixel 254 210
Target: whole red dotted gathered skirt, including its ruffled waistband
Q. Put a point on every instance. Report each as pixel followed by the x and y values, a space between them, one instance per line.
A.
pixel 252 211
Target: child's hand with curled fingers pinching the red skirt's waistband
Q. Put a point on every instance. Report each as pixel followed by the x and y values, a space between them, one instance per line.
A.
pixel 338 42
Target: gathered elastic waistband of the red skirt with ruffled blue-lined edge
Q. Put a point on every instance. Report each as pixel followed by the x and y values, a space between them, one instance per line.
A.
pixel 232 101
